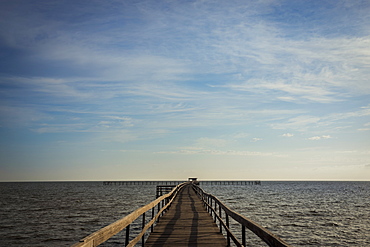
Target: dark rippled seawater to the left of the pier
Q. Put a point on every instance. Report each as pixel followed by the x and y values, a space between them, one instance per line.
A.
pixel 59 214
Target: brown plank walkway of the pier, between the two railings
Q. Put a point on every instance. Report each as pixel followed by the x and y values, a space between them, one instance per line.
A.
pixel 187 223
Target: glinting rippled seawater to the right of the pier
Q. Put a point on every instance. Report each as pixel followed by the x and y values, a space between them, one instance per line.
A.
pixel 305 213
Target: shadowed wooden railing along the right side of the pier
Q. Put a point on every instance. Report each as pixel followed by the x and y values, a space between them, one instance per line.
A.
pixel 222 214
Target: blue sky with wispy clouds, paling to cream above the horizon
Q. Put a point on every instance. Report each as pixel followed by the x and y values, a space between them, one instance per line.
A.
pixel 152 90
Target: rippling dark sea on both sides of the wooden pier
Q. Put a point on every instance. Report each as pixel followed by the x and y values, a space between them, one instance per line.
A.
pixel 302 213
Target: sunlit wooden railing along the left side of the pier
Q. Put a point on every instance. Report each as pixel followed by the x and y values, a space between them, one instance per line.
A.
pixel 162 203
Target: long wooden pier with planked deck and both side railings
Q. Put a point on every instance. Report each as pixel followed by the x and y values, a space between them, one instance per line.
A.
pixel 186 216
